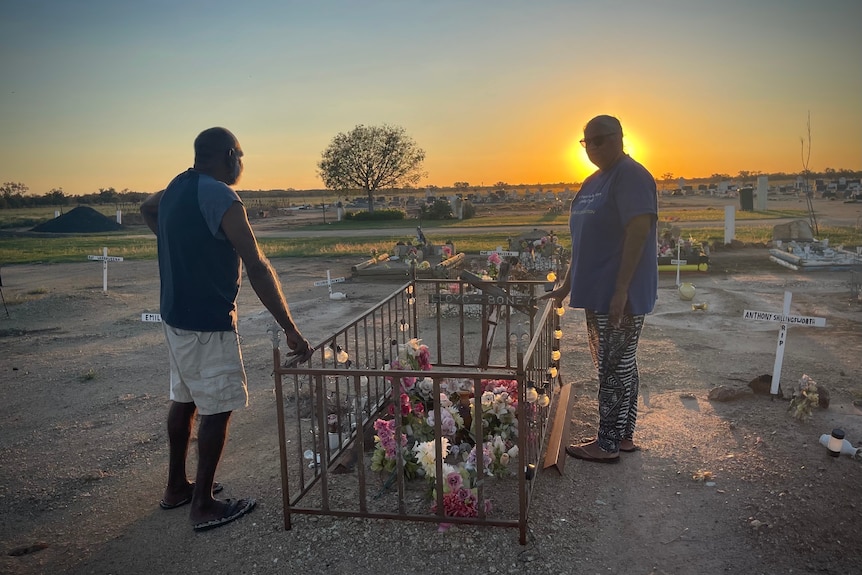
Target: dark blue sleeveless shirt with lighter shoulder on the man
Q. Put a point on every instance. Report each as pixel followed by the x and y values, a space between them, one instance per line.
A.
pixel 198 267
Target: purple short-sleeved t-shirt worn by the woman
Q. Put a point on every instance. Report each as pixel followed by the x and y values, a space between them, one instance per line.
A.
pixel 597 221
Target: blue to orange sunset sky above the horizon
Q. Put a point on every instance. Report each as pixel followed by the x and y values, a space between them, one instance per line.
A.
pixel 101 94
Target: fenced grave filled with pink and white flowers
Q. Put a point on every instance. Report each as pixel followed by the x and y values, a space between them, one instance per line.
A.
pixel 337 413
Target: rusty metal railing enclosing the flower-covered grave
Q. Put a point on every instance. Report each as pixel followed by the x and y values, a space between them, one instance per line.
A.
pixel 327 407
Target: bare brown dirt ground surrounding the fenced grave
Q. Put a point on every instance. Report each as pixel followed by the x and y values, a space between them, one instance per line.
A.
pixel 718 487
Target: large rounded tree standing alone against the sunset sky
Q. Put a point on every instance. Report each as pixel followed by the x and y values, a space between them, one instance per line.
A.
pixel 371 158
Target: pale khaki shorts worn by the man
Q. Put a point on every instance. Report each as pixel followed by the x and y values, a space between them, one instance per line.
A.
pixel 207 369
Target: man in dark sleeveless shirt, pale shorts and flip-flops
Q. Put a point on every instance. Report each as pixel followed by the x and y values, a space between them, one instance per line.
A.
pixel 204 238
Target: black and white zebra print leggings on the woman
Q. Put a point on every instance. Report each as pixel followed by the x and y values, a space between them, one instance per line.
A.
pixel 614 352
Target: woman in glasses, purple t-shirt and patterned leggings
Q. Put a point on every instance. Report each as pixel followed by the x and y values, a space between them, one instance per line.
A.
pixel 613 277
